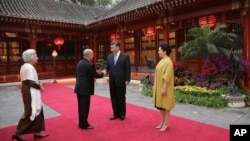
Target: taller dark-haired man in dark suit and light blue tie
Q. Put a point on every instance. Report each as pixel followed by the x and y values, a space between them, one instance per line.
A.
pixel 118 67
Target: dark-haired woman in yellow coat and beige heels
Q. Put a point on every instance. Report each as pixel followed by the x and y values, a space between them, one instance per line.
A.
pixel 163 90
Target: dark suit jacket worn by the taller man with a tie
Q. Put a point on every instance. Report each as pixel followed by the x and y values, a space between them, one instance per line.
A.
pixel 120 72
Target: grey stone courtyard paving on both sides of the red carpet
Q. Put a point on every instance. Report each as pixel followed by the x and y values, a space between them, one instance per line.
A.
pixel 11 106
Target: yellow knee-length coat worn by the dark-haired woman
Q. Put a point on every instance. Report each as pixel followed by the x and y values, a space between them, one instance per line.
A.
pixel 164 72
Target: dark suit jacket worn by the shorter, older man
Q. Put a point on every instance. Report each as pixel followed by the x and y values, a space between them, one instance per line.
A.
pixel 85 74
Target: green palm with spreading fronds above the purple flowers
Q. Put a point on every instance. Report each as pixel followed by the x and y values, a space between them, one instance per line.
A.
pixel 204 41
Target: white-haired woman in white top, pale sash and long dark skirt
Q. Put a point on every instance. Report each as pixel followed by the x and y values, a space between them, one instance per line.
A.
pixel 32 120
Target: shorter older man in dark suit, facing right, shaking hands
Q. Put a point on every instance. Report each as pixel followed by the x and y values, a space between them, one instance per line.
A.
pixel 84 88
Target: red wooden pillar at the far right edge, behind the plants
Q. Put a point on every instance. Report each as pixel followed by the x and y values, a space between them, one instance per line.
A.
pixel 246 41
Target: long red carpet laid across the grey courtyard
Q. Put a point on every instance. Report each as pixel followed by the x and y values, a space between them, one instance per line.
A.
pixel 139 124
